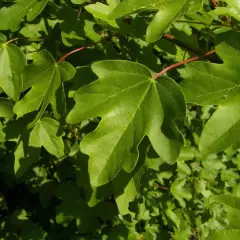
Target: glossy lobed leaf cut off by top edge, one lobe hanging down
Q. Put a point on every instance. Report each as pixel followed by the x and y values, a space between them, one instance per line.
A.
pixel 168 12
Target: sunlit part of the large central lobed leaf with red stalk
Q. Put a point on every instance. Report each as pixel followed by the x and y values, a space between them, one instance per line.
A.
pixel 129 102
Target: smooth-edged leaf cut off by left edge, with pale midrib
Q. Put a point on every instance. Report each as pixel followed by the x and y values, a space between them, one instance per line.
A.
pixel 12 62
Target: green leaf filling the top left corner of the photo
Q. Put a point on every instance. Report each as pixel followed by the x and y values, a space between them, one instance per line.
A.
pixel 11 17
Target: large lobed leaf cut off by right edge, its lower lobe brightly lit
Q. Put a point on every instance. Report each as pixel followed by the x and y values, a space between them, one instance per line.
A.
pixel 208 83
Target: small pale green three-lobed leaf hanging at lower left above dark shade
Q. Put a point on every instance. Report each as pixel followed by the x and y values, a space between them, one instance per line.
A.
pixel 44 134
